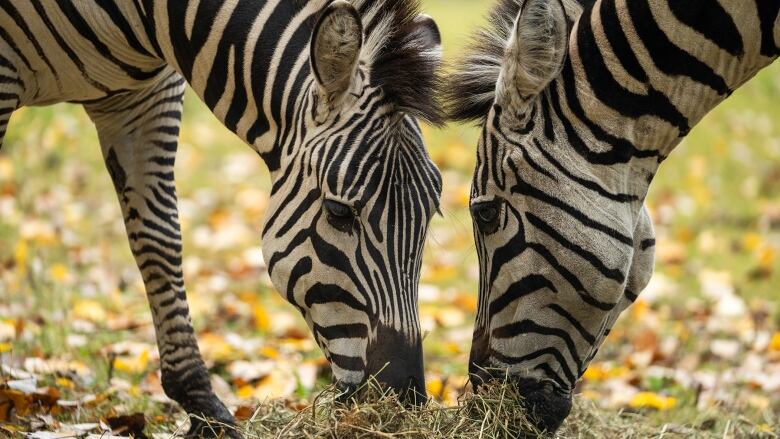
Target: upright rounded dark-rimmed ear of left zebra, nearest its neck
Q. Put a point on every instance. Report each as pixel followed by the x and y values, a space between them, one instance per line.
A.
pixel 335 50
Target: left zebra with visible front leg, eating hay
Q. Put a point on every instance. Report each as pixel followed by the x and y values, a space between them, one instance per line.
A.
pixel 328 93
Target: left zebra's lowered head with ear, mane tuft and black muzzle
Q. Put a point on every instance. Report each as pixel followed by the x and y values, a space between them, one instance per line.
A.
pixel 355 190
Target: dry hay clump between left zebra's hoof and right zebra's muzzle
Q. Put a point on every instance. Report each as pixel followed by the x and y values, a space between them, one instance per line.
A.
pixel 493 414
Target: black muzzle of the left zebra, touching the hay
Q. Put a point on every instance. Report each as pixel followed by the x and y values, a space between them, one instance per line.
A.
pixel 395 364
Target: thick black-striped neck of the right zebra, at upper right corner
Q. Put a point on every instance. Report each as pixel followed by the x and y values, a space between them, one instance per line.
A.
pixel 651 70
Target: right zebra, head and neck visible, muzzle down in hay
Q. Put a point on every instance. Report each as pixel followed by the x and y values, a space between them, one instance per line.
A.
pixel 579 103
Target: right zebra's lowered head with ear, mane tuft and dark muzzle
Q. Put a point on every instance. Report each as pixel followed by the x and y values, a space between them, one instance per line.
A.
pixel 563 244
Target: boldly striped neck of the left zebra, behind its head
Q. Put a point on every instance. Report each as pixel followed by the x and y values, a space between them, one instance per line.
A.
pixel 248 60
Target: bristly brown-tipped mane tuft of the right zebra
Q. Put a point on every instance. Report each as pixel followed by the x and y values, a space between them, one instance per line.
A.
pixel 472 85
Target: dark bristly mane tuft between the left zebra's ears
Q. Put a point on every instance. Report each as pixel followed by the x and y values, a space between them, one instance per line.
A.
pixel 407 70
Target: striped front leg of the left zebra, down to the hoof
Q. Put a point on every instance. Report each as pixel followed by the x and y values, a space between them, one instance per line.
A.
pixel 138 135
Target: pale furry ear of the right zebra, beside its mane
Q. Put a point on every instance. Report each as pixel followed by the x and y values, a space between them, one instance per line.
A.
pixel 534 55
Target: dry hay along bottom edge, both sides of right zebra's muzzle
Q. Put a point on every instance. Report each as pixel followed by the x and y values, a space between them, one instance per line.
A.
pixel 495 414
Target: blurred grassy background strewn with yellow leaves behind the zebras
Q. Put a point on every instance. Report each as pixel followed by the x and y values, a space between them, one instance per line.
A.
pixel 702 340
